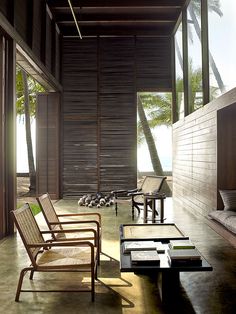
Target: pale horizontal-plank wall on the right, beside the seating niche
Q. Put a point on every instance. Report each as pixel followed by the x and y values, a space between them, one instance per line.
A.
pixel 195 167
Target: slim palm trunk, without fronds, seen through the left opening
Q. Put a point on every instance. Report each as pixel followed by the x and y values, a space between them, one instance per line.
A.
pixel 32 173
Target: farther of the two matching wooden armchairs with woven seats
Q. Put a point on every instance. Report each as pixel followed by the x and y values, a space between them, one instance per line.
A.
pixel 55 222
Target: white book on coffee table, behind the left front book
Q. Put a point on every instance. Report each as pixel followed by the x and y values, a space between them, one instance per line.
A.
pixel 143 246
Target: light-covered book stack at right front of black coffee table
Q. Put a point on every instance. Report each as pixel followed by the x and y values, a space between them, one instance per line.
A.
pixel 184 256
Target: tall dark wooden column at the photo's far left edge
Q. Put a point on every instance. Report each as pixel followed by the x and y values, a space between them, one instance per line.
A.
pixel 7 135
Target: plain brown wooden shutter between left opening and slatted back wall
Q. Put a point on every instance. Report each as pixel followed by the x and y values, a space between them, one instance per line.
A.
pixel 47 144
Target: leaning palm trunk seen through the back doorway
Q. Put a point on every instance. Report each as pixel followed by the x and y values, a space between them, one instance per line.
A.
pixel 156 164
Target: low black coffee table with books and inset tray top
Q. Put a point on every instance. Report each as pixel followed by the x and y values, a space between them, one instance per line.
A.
pixel 167 275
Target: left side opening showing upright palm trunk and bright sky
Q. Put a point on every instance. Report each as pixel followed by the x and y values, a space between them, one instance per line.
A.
pixel 26 97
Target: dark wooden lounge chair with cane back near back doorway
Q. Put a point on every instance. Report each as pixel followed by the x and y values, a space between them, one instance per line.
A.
pixel 150 184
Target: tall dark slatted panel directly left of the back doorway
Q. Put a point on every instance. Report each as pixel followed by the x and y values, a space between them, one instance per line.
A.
pixel 117 111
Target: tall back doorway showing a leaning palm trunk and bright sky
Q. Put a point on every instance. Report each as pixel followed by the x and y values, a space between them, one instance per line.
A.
pixel 154 135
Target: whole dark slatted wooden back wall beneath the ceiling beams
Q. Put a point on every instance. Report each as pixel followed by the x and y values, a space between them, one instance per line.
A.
pixel 99 111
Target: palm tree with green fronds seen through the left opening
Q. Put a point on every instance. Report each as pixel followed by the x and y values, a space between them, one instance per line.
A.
pixel 26 89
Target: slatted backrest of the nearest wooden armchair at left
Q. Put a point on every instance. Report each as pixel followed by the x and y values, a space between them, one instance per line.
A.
pixel 28 229
